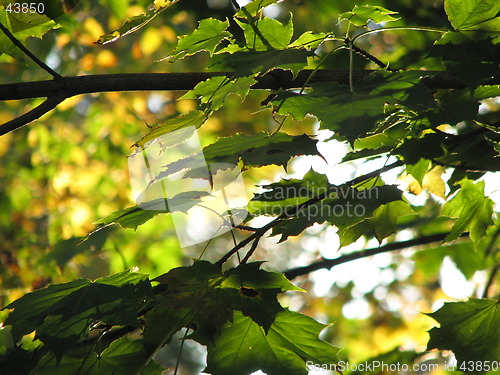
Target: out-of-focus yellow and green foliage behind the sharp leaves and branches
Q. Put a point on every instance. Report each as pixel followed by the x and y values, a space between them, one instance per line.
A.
pixel 61 174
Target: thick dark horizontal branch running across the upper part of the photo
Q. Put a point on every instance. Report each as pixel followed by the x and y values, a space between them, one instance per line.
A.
pixel 70 86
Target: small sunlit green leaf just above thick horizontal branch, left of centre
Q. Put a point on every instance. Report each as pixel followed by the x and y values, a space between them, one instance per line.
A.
pixel 209 34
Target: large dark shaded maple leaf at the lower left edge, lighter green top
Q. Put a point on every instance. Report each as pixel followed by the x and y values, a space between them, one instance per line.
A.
pixel 59 310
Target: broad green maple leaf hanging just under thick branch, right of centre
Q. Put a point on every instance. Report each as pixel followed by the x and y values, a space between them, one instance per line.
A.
pixel 353 114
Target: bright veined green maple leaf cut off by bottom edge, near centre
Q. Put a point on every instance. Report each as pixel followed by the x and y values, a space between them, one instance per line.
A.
pixel 244 347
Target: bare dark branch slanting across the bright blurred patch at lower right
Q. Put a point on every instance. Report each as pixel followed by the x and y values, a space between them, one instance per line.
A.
pixel 330 263
